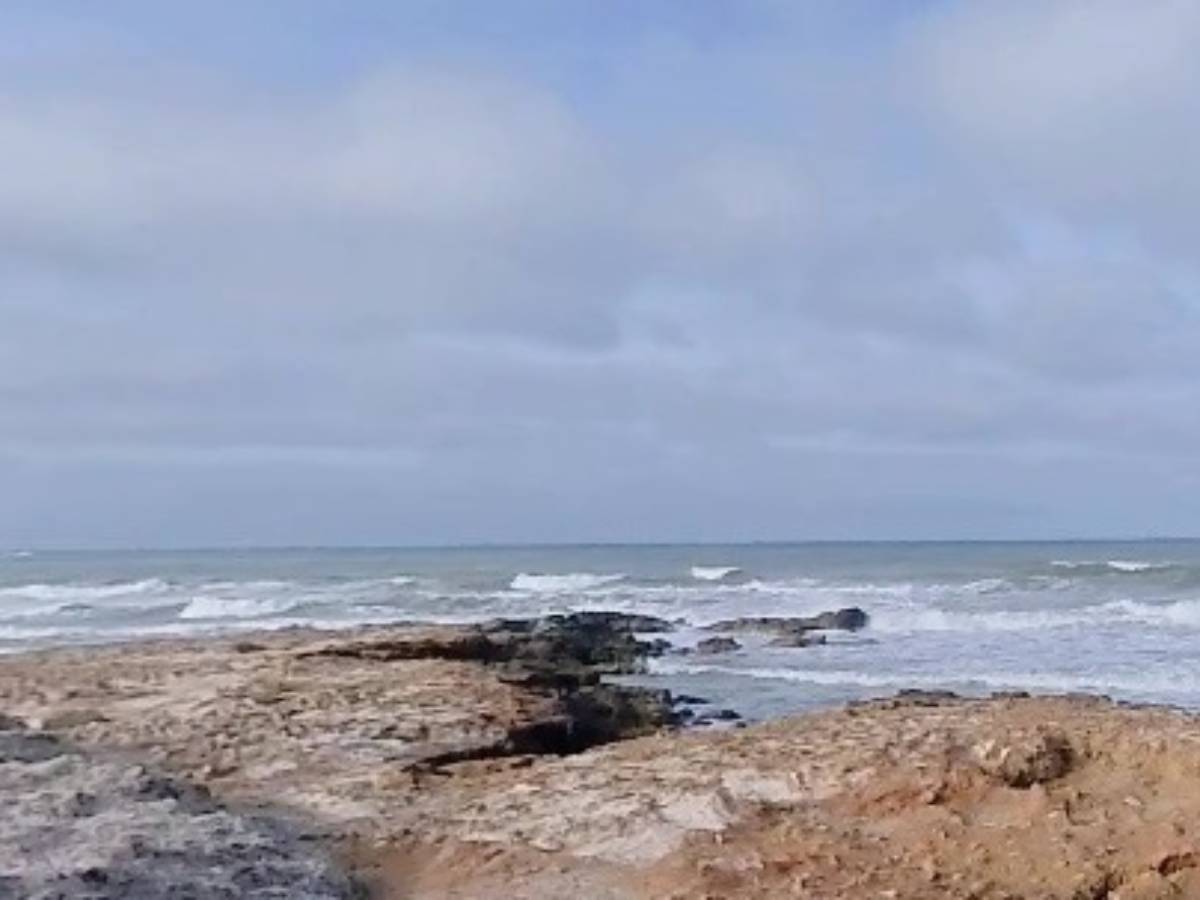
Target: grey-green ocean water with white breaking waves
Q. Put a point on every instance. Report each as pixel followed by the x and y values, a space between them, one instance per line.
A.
pixel 1117 619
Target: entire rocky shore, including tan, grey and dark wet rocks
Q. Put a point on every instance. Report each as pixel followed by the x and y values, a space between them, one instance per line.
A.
pixel 496 761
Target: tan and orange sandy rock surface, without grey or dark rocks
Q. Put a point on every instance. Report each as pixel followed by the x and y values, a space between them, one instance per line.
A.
pixel 410 769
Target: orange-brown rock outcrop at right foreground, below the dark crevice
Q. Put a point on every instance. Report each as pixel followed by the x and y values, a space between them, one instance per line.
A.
pixel 922 797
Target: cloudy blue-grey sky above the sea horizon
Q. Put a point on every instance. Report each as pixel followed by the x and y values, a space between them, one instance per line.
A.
pixel 435 272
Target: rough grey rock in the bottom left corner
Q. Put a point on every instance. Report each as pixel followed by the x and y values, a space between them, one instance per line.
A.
pixel 154 838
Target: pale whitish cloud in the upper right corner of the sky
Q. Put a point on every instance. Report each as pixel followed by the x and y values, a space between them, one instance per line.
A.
pixel 1088 109
